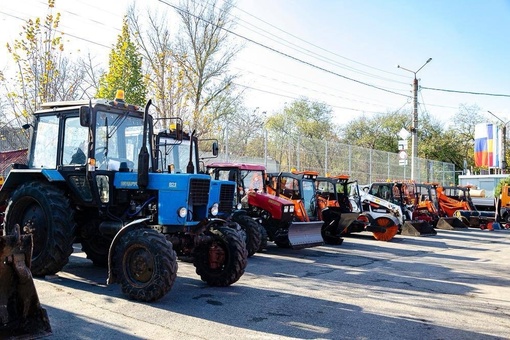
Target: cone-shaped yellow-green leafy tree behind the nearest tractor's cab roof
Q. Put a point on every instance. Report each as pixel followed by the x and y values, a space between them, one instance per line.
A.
pixel 125 71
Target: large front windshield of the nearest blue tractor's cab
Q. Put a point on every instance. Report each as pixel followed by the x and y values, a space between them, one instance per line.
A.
pixel 118 141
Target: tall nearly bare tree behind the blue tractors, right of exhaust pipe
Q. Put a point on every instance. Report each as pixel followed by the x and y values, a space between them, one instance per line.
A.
pixel 204 55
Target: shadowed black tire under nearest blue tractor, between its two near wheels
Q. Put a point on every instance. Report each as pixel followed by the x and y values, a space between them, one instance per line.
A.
pixel 96 245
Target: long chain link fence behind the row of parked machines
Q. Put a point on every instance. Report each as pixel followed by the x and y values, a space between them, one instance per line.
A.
pixel 365 165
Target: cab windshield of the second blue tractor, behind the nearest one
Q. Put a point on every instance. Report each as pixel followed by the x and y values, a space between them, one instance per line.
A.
pixel 174 155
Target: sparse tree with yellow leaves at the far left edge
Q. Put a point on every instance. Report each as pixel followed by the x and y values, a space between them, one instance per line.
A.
pixel 42 71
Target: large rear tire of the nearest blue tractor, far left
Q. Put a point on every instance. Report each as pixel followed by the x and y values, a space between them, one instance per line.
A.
pixel 46 212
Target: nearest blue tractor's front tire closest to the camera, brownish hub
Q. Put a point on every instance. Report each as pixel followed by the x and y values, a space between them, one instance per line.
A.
pixel 145 264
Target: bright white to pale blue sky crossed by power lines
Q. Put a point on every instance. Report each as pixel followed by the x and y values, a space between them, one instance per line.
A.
pixel 341 52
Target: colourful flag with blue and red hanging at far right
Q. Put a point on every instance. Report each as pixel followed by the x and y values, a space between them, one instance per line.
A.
pixel 487 146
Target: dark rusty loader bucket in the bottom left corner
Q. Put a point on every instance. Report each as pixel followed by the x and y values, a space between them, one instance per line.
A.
pixel 21 314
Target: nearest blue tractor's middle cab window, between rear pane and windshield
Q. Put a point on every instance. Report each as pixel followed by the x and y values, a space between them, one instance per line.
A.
pixel 75 142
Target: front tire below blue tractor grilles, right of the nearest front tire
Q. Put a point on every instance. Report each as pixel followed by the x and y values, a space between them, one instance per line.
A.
pixel 235 257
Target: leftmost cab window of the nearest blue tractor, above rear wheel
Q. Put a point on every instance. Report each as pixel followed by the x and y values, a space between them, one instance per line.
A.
pixel 45 148
